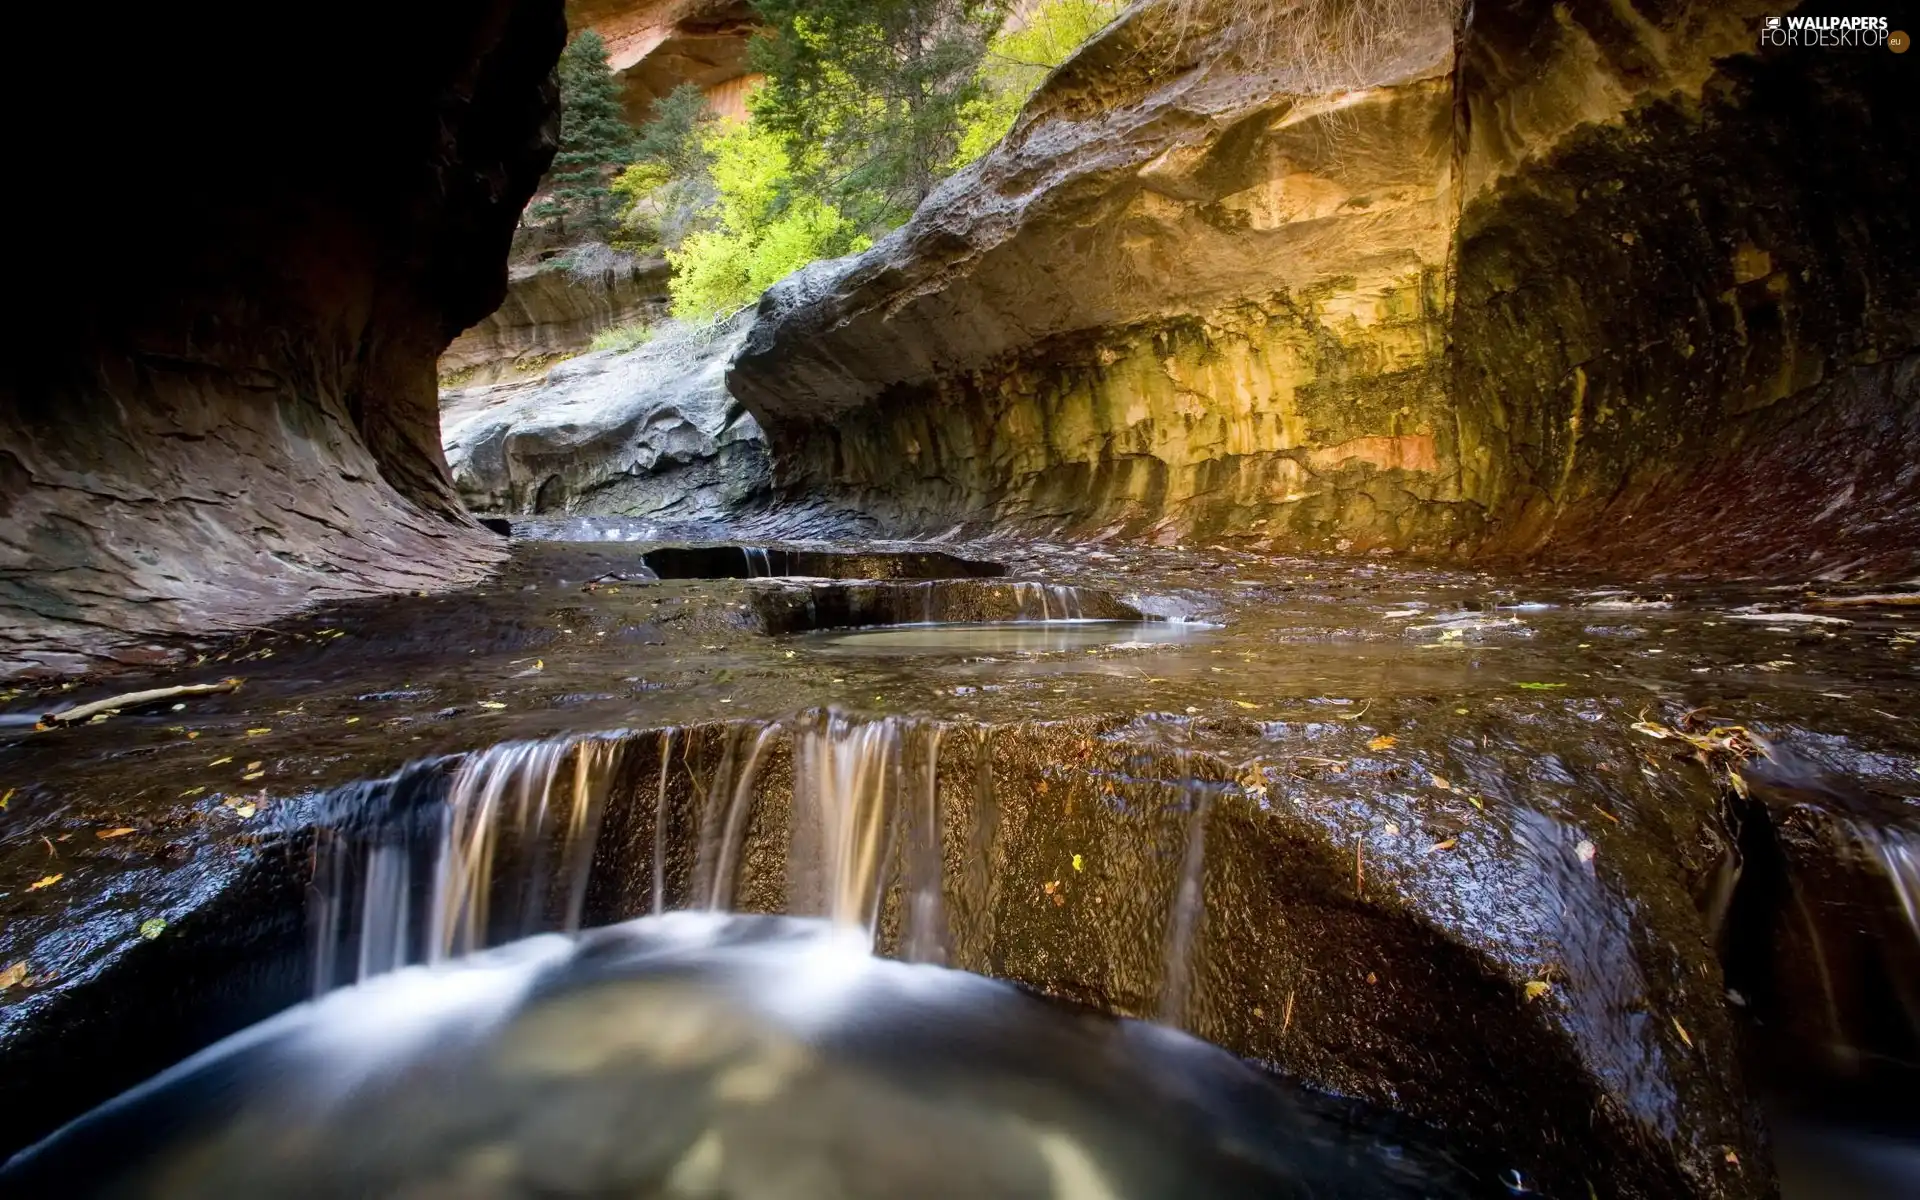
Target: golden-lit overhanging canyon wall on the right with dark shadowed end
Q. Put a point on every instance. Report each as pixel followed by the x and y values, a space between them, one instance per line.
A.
pixel 1575 281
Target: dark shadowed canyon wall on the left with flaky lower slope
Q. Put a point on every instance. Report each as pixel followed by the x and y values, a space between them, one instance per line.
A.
pixel 222 402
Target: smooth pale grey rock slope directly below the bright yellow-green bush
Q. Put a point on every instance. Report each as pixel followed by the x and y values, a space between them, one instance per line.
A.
pixel 650 433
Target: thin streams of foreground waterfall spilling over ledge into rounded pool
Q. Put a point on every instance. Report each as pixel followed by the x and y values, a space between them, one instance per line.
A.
pixel 510 842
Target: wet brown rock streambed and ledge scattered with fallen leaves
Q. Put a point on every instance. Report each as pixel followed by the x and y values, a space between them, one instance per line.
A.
pixel 1403 823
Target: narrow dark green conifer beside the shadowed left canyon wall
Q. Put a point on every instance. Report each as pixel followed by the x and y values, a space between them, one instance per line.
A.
pixel 596 143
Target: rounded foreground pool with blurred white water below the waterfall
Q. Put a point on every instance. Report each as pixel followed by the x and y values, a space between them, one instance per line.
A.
pixel 723 1057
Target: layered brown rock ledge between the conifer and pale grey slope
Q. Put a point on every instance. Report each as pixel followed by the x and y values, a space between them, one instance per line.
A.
pixel 552 312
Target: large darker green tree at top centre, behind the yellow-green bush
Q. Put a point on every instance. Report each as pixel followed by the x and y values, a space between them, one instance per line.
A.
pixel 867 95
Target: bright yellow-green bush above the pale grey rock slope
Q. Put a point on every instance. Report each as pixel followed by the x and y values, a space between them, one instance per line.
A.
pixel 767 228
